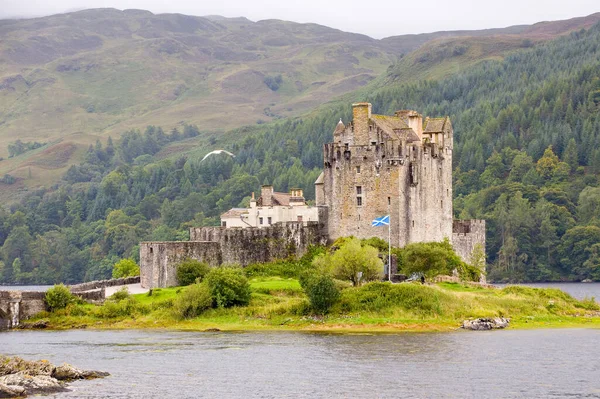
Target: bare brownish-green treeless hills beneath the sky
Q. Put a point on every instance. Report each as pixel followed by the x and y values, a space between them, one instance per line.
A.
pixel 68 80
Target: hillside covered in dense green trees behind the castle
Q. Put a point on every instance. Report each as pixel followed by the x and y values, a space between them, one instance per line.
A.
pixel 527 159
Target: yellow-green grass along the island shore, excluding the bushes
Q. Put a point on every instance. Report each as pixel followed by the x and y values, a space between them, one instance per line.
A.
pixel 279 304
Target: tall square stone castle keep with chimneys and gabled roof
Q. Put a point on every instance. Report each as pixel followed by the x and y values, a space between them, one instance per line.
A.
pixel 399 165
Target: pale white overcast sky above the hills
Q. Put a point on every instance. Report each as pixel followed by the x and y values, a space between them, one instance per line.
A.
pixel 376 18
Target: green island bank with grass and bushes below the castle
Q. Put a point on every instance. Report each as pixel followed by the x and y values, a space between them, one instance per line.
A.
pixel 335 289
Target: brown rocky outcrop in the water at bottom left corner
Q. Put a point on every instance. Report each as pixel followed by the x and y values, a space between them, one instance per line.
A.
pixel 20 378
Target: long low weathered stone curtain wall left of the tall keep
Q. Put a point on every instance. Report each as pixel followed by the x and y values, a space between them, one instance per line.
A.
pixel 218 245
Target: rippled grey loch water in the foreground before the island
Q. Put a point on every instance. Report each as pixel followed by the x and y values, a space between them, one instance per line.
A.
pixel 462 364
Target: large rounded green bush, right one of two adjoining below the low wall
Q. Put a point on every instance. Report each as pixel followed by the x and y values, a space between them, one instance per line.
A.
pixel 228 286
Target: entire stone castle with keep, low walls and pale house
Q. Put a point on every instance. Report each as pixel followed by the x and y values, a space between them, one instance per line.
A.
pixel 377 165
